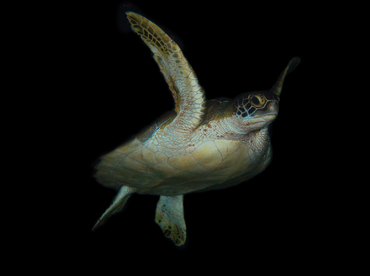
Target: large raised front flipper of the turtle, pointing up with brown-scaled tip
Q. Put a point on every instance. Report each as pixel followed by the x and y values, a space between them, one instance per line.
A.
pixel 180 77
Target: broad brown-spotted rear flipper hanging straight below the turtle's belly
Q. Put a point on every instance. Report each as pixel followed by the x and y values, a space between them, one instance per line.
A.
pixel 170 217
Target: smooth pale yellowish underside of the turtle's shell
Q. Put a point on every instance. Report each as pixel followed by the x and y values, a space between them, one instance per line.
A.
pixel 211 165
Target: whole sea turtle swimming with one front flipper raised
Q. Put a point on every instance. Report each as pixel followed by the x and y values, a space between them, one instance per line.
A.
pixel 200 145
